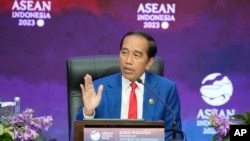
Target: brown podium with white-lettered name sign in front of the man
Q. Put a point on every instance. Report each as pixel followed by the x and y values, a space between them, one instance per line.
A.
pixel 118 129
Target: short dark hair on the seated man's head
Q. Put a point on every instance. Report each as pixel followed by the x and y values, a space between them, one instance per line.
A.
pixel 152 47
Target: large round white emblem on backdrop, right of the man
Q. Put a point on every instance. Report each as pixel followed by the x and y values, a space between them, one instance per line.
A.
pixel 216 89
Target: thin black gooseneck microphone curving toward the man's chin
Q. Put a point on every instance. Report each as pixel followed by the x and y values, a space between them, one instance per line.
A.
pixel 172 112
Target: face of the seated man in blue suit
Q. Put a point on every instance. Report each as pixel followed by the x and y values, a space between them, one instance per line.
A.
pixel 133 57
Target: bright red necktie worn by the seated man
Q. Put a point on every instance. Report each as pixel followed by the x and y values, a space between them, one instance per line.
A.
pixel 132 113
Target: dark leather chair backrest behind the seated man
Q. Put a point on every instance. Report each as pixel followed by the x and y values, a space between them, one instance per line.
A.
pixel 97 66
